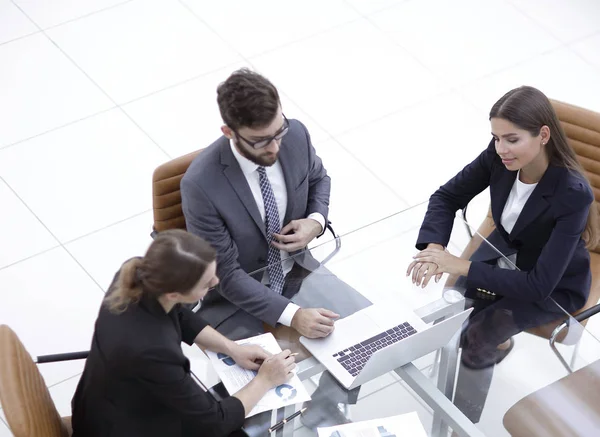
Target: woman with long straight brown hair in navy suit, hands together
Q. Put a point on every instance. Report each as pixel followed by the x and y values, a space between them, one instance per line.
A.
pixel 543 223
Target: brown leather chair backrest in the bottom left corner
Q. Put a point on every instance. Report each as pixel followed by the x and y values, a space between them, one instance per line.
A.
pixel 24 397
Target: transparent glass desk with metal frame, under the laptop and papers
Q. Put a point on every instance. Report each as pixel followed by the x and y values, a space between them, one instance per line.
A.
pixel 369 265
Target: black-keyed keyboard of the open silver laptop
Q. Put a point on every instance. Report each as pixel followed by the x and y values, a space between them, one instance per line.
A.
pixel 354 358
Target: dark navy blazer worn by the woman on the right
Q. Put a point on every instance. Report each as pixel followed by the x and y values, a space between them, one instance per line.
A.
pixel 551 254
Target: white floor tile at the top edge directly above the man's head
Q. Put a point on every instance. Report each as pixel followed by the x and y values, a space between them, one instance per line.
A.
pixel 262 25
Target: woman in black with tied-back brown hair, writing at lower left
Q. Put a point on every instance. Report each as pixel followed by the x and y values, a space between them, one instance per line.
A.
pixel 137 380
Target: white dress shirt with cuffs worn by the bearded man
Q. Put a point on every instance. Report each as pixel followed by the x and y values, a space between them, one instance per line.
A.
pixel 277 181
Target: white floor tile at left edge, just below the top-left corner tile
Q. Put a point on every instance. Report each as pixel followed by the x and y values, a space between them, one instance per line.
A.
pixel 41 90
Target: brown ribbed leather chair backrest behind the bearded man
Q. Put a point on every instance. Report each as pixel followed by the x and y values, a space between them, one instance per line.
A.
pixel 166 194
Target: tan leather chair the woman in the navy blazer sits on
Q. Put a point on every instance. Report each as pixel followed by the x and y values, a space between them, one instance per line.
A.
pixel 582 128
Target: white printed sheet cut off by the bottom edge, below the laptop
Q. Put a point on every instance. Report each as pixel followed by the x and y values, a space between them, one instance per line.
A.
pixel 405 425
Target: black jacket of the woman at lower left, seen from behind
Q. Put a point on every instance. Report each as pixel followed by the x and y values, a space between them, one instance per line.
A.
pixel 137 380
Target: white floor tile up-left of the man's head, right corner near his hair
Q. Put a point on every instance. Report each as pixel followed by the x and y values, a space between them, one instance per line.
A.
pixel 145 46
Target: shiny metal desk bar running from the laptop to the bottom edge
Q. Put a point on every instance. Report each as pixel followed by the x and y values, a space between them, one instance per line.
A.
pixel 437 401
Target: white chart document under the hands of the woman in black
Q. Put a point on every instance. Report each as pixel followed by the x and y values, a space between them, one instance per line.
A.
pixel 234 377
